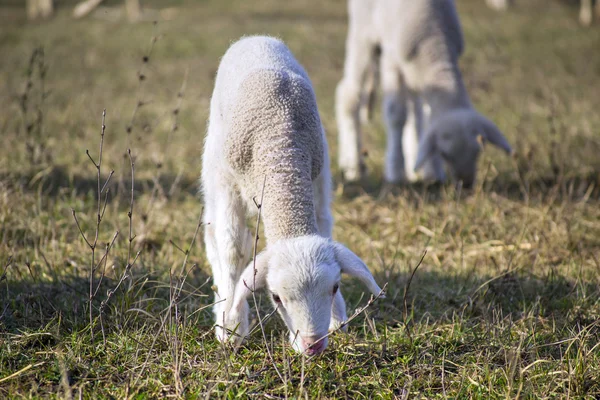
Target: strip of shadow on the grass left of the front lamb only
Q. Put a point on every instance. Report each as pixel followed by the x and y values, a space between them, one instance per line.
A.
pixel 30 303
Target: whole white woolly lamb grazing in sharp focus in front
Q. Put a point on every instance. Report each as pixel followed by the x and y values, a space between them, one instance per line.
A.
pixel 265 137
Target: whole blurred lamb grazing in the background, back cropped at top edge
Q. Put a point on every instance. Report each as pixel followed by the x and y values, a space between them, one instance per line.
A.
pixel 428 115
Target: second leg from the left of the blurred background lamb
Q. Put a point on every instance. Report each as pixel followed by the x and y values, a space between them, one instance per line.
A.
pixel 394 114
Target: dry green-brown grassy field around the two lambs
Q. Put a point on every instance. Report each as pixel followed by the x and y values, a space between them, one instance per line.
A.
pixel 505 304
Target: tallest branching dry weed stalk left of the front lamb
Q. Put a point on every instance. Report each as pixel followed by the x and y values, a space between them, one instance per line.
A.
pixel 101 208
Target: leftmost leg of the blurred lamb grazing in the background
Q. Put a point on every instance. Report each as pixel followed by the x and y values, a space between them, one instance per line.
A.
pixel 349 93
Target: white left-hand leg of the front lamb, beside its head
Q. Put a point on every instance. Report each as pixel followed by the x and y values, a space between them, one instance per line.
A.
pixel 228 247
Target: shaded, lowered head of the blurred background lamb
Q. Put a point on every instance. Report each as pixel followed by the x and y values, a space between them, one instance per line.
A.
pixel 458 137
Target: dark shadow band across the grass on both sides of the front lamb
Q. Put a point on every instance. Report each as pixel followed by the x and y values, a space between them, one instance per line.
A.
pixel 31 304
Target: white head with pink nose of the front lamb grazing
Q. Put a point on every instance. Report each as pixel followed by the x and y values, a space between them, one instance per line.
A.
pixel 302 276
